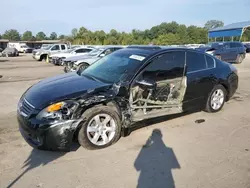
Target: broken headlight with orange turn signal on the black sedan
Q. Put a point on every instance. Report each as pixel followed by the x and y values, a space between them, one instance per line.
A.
pixel 58 111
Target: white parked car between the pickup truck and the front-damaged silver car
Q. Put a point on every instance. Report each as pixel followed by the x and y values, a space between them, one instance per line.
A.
pixel 56 59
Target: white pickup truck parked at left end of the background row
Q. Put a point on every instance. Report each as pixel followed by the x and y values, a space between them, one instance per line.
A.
pixel 43 53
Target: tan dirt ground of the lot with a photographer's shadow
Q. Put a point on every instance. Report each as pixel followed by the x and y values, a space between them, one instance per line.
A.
pixel 212 154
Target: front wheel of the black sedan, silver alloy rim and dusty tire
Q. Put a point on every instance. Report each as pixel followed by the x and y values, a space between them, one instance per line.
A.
pixel 86 137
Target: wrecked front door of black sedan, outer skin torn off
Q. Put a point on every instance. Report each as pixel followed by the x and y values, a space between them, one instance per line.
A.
pixel 160 87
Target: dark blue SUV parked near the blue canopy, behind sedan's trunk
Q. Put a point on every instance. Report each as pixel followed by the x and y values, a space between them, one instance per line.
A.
pixel 233 52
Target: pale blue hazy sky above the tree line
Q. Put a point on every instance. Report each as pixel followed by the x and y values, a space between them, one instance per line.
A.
pixel 61 16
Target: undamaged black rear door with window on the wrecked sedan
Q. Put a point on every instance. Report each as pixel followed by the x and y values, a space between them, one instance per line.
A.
pixel 200 79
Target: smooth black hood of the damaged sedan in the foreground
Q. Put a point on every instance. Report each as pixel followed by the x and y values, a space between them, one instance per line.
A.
pixel 61 87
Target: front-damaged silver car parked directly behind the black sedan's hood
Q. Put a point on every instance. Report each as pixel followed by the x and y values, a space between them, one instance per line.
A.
pixel 82 62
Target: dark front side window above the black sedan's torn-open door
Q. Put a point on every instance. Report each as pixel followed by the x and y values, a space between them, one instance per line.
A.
pixel 167 66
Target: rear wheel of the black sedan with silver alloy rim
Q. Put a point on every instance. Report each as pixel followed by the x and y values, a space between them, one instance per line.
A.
pixel 217 96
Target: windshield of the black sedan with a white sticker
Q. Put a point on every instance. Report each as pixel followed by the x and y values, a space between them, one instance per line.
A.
pixel 118 66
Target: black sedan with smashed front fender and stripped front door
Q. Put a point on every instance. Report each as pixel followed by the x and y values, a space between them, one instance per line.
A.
pixel 96 105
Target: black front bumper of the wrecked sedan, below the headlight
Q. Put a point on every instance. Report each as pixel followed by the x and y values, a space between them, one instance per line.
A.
pixel 41 135
